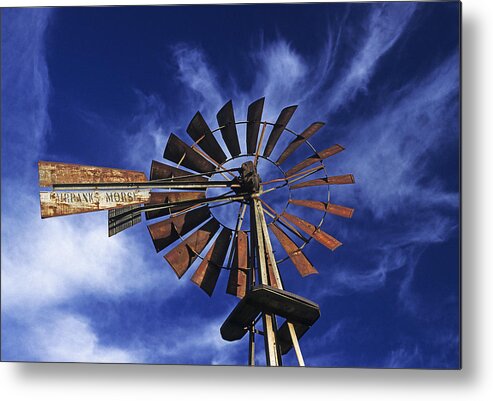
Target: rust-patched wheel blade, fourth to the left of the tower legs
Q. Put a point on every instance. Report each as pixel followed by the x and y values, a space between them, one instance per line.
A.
pixel 165 232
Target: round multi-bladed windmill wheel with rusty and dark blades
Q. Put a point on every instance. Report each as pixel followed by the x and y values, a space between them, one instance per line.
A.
pixel 193 223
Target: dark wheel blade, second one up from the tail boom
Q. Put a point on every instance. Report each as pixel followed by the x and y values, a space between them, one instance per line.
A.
pixel 180 153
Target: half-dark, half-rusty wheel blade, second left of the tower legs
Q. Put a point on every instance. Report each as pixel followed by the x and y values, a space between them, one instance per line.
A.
pixel 209 269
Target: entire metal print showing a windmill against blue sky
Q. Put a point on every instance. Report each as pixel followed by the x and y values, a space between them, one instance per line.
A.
pixel 311 191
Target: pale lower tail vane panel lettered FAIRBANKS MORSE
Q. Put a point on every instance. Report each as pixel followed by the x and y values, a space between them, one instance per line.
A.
pixel 61 203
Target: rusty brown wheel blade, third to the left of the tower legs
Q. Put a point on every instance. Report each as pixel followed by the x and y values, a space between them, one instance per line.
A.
pixel 182 256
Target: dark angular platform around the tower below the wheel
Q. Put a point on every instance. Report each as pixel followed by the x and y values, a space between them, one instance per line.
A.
pixel 266 299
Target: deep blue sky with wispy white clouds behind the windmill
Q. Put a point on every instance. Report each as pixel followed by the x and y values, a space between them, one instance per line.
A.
pixel 106 86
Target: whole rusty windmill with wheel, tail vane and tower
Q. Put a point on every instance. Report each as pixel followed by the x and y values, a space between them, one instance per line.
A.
pixel 181 199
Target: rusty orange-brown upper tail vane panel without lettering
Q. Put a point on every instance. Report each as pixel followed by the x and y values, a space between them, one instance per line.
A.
pixel 53 173
